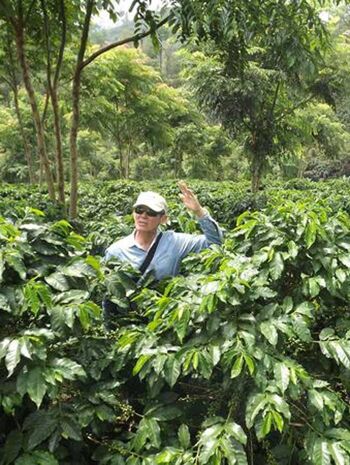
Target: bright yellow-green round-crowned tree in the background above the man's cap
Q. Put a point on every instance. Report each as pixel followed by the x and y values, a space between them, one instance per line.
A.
pixel 125 101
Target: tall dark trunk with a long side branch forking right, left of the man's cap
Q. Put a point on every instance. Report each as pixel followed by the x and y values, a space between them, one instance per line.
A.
pixel 73 207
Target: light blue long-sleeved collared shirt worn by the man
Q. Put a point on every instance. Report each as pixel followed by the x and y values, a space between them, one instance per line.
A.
pixel 172 248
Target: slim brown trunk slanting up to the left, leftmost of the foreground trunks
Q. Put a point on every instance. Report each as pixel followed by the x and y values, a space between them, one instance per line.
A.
pixel 19 33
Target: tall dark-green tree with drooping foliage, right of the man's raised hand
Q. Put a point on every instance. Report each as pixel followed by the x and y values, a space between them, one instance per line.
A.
pixel 257 52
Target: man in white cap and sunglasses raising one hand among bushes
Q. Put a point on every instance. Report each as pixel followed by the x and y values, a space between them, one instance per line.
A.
pixel 150 211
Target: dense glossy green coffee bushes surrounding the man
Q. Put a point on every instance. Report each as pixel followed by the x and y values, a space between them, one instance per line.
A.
pixel 243 358
